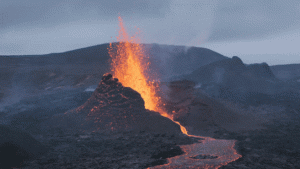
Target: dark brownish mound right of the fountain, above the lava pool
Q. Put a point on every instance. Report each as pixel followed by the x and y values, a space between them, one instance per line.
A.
pixel 201 114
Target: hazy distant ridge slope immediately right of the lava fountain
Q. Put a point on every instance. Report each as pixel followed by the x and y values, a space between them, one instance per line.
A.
pixel 175 60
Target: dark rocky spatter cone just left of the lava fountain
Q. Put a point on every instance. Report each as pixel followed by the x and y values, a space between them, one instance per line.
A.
pixel 117 107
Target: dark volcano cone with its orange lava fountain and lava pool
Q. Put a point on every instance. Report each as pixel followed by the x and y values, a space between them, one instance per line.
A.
pixel 129 100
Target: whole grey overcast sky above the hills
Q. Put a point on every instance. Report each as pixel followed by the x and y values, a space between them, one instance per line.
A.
pixel 256 30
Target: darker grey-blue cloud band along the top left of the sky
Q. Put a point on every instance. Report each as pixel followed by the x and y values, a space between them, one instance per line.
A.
pixel 18 13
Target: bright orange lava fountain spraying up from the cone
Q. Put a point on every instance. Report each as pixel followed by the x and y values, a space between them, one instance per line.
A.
pixel 129 65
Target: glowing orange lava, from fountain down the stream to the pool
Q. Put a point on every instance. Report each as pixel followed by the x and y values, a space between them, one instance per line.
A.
pixel 129 65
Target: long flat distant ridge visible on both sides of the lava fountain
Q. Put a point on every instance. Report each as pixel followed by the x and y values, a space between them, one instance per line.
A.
pixel 178 57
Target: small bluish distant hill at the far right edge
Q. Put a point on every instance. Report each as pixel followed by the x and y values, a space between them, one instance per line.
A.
pixel 286 72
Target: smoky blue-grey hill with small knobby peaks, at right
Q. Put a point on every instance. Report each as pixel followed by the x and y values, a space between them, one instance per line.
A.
pixel 231 78
